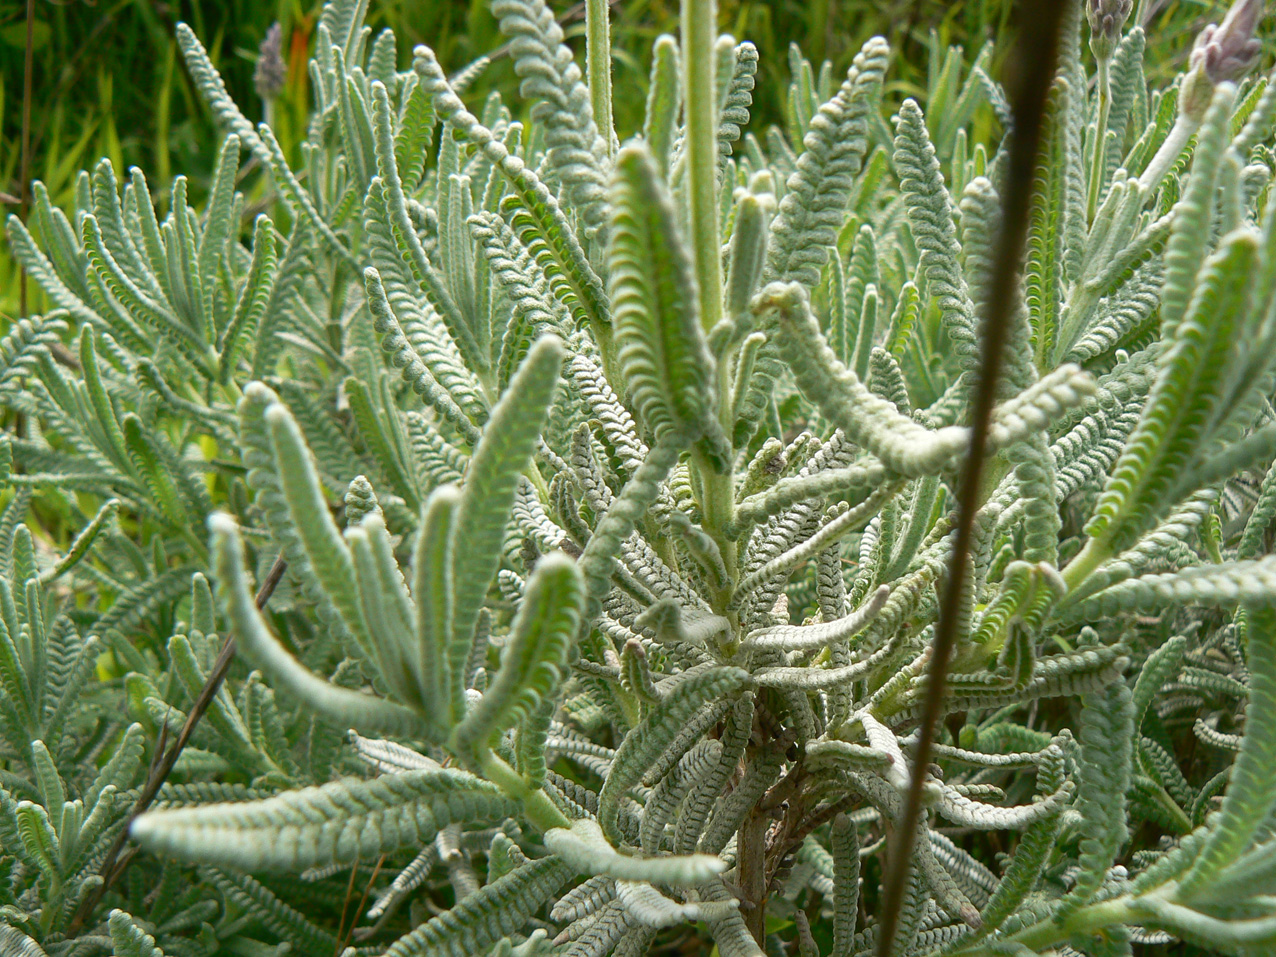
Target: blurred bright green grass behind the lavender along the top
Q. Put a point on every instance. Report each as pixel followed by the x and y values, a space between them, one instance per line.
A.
pixel 108 78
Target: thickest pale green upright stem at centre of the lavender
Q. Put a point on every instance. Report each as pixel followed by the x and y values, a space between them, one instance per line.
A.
pixel 700 36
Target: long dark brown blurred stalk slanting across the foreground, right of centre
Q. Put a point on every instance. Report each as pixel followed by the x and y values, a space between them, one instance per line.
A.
pixel 1038 50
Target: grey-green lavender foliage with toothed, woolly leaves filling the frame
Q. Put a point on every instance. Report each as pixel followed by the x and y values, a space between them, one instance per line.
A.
pixel 616 487
